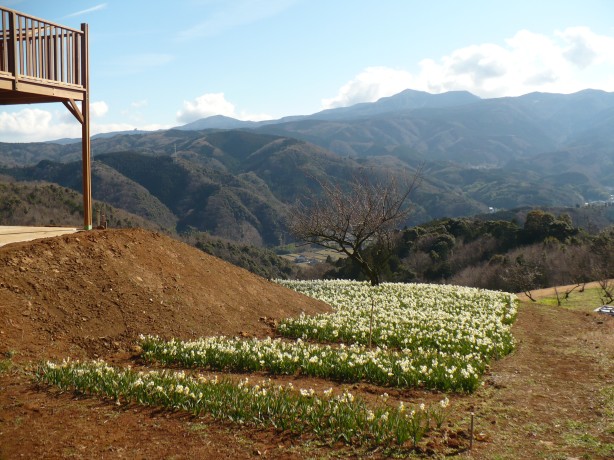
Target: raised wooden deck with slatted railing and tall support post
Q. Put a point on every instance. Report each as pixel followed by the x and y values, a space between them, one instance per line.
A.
pixel 42 62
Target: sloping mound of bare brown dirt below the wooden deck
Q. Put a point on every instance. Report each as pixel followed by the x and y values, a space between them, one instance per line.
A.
pixel 93 293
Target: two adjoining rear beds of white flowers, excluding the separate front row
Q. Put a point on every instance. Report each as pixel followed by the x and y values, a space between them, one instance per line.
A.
pixel 429 336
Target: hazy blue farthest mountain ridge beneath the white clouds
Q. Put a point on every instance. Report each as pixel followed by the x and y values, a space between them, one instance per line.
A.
pixel 452 126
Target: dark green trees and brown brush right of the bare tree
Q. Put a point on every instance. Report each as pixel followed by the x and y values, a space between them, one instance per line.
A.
pixel 544 250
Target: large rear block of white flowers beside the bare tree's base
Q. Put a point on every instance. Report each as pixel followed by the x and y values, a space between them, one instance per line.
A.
pixel 450 319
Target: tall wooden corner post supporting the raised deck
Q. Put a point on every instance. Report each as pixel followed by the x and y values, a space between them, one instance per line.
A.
pixel 85 133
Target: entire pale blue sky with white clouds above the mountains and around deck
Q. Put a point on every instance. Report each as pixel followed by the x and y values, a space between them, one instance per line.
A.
pixel 158 64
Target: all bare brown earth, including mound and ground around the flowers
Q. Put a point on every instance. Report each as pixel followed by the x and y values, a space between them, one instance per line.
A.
pixel 91 294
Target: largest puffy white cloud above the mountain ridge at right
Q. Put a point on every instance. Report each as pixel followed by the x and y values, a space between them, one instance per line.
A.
pixel 563 62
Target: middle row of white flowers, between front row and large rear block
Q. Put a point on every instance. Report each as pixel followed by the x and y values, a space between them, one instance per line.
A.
pixel 398 368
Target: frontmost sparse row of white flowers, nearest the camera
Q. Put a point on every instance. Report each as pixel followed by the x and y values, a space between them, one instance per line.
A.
pixel 328 416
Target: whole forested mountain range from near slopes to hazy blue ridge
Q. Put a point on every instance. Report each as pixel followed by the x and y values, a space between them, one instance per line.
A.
pixel 237 179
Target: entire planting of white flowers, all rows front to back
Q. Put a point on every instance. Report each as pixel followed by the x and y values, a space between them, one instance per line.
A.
pixel 423 336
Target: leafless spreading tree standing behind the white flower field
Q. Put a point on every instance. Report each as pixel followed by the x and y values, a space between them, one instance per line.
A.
pixel 351 219
